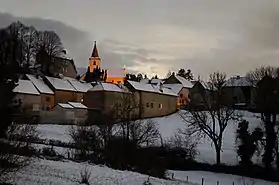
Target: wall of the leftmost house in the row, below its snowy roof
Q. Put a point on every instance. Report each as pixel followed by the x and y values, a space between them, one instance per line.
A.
pixel 30 103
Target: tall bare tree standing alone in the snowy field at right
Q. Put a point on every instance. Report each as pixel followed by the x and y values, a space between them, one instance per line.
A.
pixel 214 119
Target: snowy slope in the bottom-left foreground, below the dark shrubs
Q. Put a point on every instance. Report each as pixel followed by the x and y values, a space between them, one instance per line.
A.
pixel 46 172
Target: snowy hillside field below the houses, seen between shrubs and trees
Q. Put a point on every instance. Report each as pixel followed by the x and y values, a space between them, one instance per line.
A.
pixel 168 126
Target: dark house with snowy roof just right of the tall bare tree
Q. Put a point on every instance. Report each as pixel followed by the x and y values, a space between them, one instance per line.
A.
pixel 239 92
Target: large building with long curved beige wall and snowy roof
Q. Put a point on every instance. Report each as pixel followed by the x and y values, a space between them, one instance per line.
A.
pixel 154 100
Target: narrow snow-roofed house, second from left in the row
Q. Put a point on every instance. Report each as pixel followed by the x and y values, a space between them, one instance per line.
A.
pixel 47 95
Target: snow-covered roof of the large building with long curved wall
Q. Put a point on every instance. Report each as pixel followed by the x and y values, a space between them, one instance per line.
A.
pixel 151 88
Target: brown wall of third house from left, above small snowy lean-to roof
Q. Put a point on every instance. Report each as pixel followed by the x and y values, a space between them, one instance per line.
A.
pixel 65 96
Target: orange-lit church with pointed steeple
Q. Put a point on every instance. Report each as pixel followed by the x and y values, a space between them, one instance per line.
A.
pixel 96 73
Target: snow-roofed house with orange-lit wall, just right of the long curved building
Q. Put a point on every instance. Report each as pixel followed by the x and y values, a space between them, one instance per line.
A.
pixel 181 87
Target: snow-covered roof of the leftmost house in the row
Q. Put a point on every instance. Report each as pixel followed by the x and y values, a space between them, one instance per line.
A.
pixel 26 87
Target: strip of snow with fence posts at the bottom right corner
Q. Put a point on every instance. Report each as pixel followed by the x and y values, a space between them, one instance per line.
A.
pixel 211 178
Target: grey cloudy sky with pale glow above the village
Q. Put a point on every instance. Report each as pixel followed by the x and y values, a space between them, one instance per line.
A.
pixel 154 36
